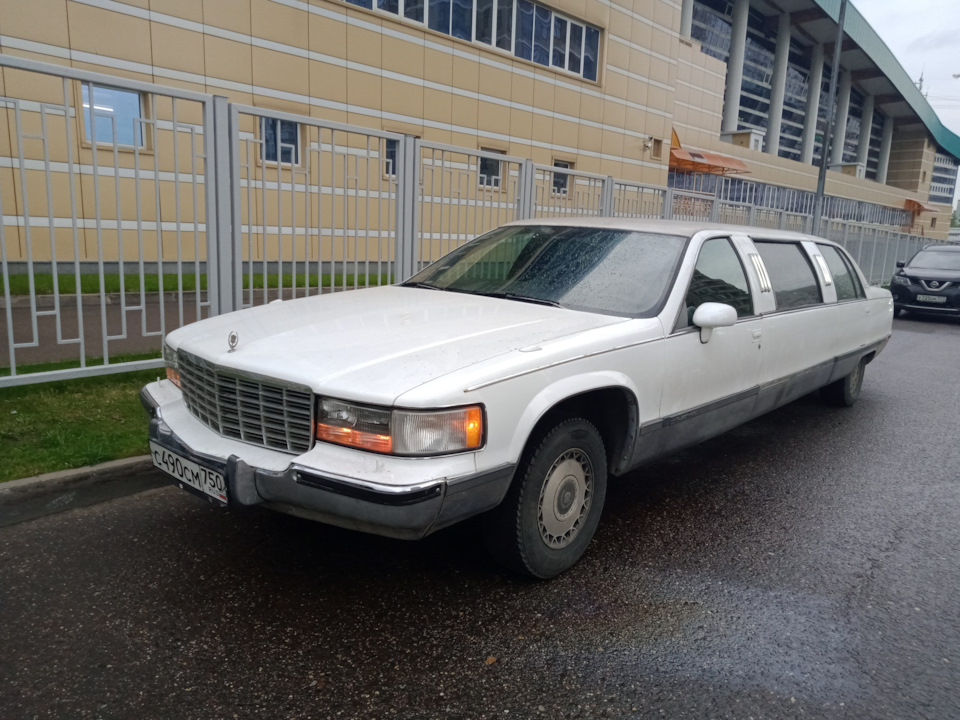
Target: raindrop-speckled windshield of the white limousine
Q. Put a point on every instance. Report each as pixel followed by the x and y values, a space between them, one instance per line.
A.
pixel 618 272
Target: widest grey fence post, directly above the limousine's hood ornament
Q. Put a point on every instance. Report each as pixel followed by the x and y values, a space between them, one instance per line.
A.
pixel 220 184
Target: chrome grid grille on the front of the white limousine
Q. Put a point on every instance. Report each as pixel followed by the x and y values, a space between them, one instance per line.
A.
pixel 238 407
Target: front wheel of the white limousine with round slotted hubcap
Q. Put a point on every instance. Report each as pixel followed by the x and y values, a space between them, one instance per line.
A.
pixel 550 513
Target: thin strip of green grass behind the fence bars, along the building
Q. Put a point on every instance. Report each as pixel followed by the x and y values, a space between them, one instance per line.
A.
pixel 43 282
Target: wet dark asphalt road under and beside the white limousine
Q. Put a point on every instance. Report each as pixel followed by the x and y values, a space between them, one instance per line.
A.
pixel 806 565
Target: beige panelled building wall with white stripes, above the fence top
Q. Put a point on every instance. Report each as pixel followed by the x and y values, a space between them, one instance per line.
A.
pixel 343 63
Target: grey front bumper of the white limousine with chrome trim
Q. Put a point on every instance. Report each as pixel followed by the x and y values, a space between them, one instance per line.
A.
pixel 406 512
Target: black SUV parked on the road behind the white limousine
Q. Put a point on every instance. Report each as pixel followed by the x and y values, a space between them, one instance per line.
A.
pixel 929 282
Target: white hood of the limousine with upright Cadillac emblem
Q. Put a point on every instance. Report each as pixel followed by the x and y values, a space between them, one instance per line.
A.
pixel 373 345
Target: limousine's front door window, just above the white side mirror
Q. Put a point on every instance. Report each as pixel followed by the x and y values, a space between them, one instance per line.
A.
pixel 719 277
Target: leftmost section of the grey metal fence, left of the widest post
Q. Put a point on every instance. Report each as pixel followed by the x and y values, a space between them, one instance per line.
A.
pixel 103 244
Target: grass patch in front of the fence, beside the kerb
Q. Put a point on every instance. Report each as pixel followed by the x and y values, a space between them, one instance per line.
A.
pixel 72 423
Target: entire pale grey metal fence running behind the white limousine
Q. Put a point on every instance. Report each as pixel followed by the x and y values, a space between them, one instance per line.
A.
pixel 111 236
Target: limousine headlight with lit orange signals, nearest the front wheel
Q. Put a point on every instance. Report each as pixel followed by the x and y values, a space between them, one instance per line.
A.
pixel 400 432
